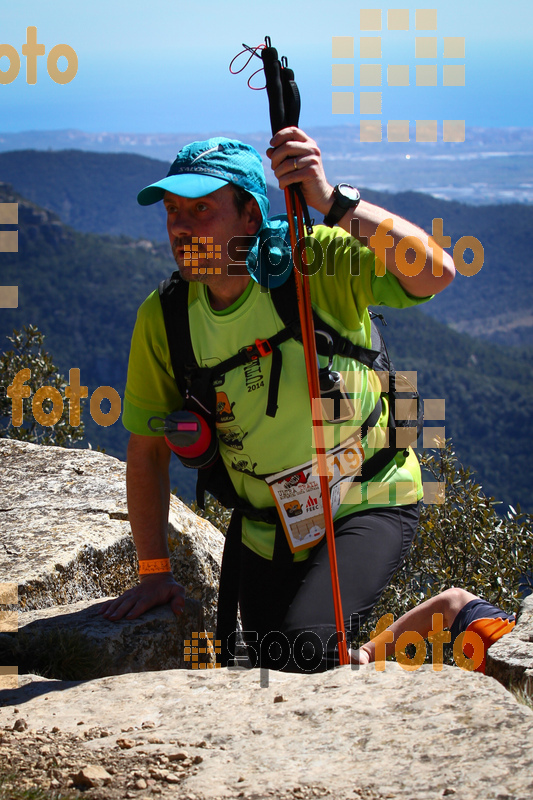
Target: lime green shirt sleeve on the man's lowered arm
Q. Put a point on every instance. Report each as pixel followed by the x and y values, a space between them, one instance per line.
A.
pixel 150 387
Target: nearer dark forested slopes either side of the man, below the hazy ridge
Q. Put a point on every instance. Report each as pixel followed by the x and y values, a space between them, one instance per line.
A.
pixel 82 290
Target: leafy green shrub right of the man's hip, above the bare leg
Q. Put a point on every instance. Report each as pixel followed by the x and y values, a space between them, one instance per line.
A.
pixel 463 542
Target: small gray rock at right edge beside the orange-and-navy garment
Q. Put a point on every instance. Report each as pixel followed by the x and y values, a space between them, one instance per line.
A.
pixel 510 660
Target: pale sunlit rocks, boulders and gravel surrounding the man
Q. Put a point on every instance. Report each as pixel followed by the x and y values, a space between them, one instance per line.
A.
pixel 213 734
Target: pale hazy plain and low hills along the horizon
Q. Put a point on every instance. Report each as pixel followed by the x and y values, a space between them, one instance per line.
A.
pixel 492 165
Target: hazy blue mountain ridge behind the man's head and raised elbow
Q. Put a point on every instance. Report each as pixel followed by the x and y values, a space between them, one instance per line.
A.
pixel 96 192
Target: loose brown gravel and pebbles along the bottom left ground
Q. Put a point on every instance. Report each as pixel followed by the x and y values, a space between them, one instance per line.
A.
pixel 60 766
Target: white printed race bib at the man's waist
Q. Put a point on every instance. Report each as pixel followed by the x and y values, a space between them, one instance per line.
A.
pixel 298 498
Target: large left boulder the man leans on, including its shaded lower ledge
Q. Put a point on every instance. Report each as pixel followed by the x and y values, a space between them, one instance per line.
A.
pixel 65 540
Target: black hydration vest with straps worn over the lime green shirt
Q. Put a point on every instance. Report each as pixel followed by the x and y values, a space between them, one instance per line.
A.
pixel 197 384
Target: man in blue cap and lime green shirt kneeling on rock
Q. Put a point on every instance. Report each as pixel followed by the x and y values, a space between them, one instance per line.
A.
pixel 214 195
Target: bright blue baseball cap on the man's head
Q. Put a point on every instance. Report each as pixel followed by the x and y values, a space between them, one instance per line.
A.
pixel 203 167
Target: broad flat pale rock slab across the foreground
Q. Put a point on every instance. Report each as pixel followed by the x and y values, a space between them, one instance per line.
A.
pixel 346 733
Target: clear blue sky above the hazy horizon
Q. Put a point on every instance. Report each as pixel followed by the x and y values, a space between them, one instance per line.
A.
pixel 162 65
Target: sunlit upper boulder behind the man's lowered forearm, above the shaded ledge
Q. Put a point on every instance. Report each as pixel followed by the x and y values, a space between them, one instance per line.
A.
pixel 65 536
